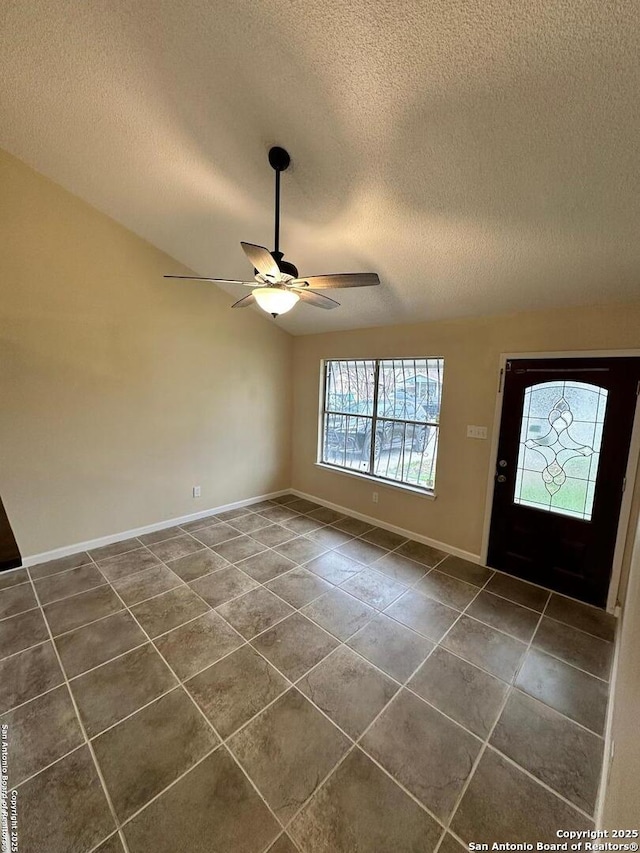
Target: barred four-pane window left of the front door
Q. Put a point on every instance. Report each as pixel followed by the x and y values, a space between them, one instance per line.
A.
pixel 381 418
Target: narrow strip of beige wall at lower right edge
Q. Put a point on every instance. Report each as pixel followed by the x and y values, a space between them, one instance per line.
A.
pixel 622 794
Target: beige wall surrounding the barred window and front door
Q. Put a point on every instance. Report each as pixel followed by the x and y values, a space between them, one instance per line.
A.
pixel 471 350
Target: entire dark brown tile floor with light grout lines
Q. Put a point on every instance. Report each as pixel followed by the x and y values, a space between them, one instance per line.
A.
pixel 282 678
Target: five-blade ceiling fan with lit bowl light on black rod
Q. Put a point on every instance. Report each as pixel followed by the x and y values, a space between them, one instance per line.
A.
pixel 279 285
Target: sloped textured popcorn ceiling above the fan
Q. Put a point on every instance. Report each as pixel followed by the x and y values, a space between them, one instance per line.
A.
pixel 480 155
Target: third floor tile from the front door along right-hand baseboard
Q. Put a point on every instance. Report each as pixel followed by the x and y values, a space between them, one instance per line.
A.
pixel 575 694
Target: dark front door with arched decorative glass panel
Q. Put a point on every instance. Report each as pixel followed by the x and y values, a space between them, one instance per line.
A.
pixel 562 454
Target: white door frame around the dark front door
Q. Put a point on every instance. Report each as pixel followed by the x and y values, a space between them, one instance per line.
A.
pixel 632 462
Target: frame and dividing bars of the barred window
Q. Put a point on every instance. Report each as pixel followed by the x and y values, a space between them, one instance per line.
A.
pixel 369 474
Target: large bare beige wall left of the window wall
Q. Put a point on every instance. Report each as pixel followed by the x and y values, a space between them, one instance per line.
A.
pixel 121 390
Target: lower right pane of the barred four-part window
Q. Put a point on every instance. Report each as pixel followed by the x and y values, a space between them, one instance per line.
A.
pixel 406 453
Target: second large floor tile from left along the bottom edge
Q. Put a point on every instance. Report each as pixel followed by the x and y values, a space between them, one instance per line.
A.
pixel 213 805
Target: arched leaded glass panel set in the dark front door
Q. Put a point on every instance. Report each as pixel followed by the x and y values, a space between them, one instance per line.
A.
pixel 559 449
